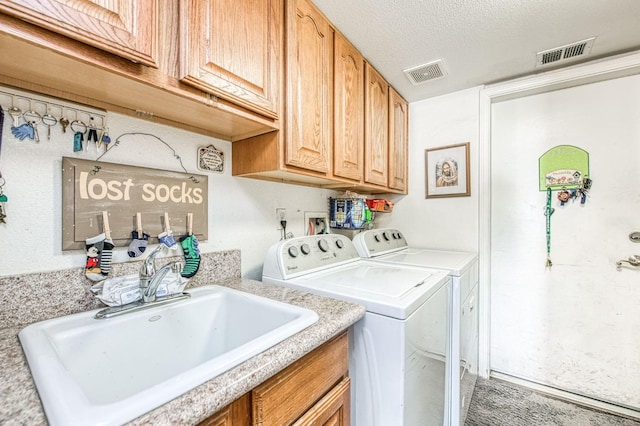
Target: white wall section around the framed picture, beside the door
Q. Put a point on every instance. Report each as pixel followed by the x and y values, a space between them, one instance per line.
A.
pixel 445 223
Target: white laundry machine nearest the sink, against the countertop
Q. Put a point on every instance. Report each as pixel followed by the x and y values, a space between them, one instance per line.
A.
pixel 400 351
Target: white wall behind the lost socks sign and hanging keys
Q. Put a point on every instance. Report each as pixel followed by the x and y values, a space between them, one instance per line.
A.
pixel 241 210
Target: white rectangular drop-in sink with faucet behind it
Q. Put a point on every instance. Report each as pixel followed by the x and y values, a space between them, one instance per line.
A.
pixel 90 371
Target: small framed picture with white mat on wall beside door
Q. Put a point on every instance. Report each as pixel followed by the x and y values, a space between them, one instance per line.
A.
pixel 447 171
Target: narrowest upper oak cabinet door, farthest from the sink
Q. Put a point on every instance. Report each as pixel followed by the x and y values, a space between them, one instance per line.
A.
pixel 398 139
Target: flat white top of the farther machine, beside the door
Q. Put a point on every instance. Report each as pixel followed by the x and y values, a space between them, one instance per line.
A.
pixel 455 261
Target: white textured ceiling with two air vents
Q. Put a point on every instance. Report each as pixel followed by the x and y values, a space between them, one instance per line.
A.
pixel 480 41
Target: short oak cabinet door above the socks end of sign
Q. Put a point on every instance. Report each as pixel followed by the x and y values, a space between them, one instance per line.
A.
pixel 231 48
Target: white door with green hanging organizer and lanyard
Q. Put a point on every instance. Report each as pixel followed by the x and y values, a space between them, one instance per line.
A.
pixel 576 325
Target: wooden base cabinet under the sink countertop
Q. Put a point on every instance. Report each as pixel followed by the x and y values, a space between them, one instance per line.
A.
pixel 314 390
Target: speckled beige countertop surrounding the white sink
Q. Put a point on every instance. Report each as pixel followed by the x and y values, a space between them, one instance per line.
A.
pixel 20 404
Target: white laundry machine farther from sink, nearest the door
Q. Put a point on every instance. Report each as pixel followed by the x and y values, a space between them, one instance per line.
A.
pixel 390 246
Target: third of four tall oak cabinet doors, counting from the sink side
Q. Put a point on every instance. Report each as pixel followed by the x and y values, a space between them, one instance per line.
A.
pixel 376 128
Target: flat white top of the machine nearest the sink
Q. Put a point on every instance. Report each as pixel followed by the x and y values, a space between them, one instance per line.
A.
pixel 386 289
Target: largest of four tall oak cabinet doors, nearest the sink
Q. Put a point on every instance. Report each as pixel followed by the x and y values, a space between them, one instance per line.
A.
pixel 309 88
